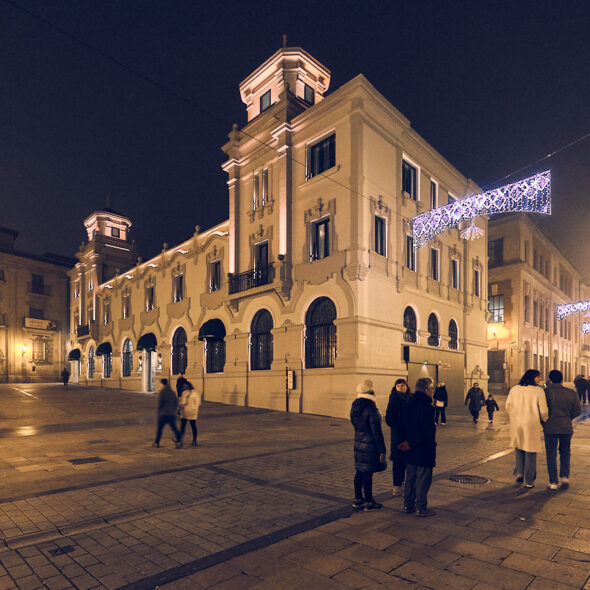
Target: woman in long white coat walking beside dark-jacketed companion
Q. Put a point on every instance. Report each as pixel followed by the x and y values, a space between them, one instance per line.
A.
pixel 527 406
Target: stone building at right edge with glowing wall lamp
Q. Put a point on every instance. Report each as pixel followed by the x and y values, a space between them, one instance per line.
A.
pixel 529 277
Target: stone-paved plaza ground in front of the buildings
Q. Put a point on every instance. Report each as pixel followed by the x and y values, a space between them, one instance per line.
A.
pixel 264 501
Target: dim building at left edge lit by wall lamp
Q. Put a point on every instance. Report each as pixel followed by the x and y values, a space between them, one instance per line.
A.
pixel 34 327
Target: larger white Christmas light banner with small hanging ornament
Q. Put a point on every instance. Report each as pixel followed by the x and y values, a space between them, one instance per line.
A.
pixel 531 195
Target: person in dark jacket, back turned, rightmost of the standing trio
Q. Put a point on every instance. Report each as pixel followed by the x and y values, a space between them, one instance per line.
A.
pixel 420 447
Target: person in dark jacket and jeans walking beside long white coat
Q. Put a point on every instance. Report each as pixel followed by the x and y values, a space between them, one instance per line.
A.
pixel 564 406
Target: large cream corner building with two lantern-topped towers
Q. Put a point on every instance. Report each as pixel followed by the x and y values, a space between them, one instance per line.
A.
pixel 312 284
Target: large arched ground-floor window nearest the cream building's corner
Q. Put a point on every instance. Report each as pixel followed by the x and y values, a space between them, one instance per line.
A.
pixel 320 334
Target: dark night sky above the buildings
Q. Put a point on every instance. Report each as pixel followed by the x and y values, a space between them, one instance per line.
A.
pixel 493 86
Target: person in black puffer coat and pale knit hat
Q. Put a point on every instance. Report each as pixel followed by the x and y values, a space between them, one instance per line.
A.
pixel 369 445
